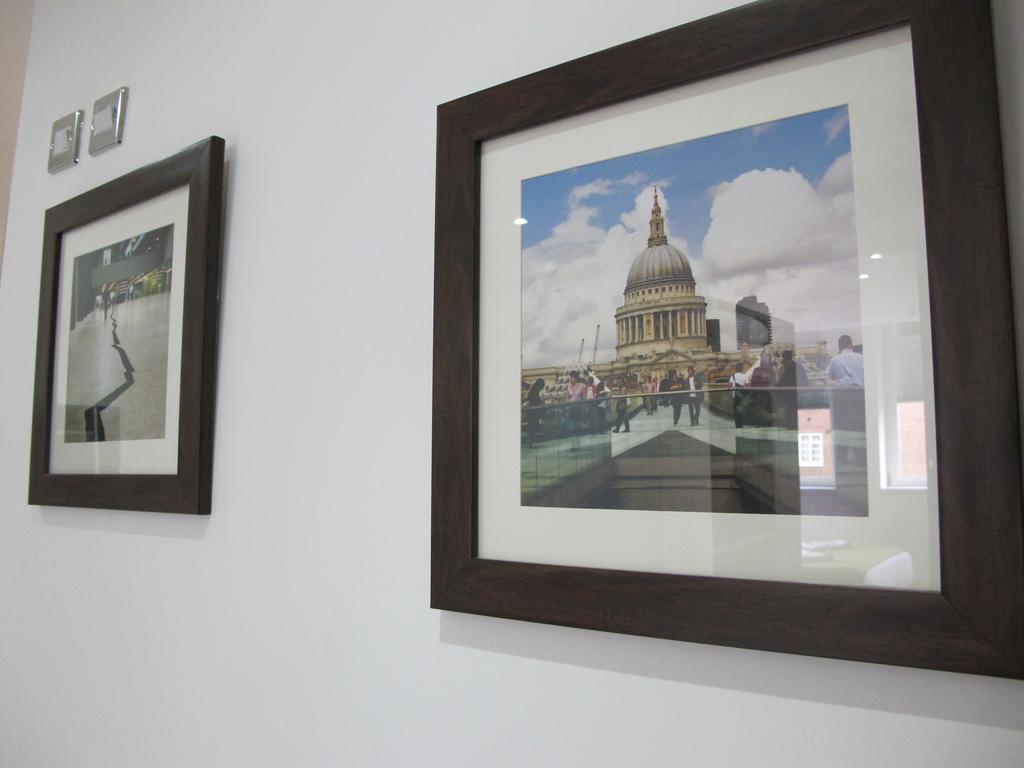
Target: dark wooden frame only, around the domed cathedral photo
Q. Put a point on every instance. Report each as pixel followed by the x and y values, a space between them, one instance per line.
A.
pixel 976 623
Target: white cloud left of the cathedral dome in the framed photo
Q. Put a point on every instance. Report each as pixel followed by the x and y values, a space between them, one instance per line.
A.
pixel 574 281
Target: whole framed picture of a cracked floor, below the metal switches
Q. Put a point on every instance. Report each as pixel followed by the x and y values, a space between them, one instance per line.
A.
pixel 127 344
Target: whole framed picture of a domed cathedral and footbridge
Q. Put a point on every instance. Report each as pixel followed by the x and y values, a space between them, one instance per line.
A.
pixel 723 343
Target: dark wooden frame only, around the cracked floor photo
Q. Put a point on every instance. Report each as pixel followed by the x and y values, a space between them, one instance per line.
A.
pixel 201 168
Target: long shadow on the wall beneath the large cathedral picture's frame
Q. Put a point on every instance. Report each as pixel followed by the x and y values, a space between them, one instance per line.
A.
pixel 902 691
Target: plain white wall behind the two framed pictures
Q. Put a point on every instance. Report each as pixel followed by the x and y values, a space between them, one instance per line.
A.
pixel 292 627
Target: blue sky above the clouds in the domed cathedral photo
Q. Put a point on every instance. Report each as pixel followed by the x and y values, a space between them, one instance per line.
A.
pixel 806 144
